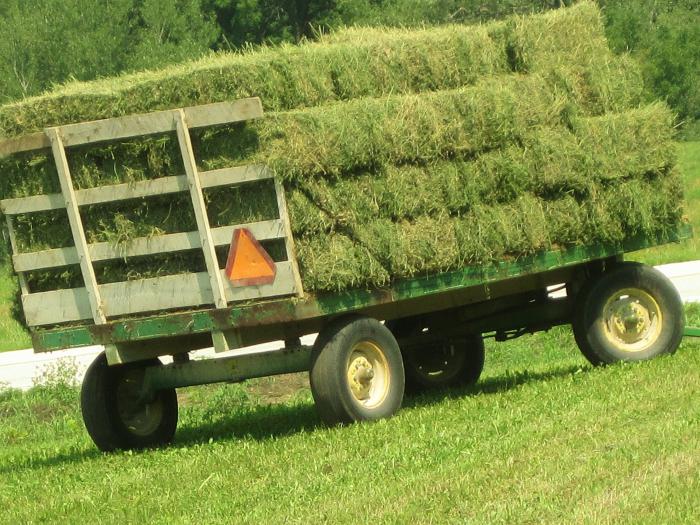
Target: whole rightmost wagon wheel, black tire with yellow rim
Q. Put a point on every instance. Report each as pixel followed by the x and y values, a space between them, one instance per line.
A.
pixel 631 313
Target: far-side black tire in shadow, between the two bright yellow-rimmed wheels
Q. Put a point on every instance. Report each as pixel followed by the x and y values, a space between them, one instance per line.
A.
pixel 465 356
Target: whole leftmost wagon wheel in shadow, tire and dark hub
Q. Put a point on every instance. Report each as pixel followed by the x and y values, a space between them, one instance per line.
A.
pixel 115 413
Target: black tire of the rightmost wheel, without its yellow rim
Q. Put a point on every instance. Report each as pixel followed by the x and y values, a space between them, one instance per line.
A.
pixel 588 323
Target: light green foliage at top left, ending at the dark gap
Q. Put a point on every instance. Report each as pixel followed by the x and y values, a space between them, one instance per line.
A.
pixel 50 41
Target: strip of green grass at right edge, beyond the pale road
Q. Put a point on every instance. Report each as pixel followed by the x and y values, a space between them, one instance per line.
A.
pixel 689 163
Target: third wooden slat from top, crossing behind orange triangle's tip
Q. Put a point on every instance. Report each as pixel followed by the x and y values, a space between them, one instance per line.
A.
pixel 173 242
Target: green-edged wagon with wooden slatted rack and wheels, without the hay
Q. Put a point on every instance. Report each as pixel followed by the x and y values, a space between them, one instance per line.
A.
pixel 373 344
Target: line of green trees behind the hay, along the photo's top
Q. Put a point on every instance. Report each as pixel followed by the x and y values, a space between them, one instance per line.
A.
pixel 45 42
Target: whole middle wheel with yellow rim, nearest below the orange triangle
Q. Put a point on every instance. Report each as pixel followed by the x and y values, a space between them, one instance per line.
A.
pixel 356 371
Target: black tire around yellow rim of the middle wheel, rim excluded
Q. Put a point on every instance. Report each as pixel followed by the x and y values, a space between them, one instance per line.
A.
pixel 330 361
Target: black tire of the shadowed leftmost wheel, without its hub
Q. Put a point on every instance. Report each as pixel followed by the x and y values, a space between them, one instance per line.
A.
pixel 100 408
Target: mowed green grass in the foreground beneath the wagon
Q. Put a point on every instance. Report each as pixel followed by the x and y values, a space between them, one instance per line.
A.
pixel 542 438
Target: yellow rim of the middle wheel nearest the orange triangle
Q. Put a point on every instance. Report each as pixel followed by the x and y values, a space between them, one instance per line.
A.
pixel 368 374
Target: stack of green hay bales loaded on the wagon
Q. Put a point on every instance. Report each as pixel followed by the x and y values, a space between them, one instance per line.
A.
pixel 402 152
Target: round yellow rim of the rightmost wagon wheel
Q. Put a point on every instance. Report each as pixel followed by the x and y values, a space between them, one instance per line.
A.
pixel 632 320
